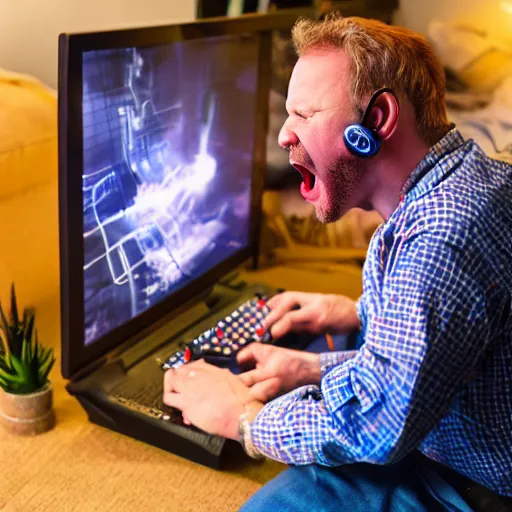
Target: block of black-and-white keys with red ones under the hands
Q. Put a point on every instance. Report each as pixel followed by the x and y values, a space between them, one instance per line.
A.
pixel 227 337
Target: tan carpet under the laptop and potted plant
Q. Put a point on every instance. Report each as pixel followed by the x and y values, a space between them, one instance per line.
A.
pixel 82 467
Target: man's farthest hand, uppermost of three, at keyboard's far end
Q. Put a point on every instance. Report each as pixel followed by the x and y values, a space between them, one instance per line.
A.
pixel 310 312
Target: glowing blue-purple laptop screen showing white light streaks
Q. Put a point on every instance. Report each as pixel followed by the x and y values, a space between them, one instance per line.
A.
pixel 167 166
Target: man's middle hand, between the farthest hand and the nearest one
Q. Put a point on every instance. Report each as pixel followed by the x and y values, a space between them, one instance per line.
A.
pixel 278 370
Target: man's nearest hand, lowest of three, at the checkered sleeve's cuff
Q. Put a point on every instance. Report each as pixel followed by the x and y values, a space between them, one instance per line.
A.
pixel 210 398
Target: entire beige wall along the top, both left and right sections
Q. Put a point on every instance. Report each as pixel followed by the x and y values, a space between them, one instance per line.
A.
pixel 29 28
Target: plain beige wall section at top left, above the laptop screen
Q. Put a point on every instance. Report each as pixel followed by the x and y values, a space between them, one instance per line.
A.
pixel 29 28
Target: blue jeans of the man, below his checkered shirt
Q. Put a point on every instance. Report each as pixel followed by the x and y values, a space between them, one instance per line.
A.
pixel 407 485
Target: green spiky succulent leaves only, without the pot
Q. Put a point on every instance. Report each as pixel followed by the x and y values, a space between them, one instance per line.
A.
pixel 24 363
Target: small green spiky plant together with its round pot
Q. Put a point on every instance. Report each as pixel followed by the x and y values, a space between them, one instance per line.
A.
pixel 26 405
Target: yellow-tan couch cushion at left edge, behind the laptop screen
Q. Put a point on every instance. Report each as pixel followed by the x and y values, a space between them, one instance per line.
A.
pixel 28 133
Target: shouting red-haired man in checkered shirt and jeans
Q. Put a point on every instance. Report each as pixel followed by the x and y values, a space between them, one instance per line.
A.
pixel 431 379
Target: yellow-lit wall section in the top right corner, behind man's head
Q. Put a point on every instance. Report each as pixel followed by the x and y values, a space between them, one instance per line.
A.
pixel 483 14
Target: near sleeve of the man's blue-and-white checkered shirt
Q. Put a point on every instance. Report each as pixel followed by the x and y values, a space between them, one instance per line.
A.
pixel 428 330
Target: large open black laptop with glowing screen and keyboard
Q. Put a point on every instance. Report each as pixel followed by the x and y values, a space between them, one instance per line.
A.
pixel 161 162
